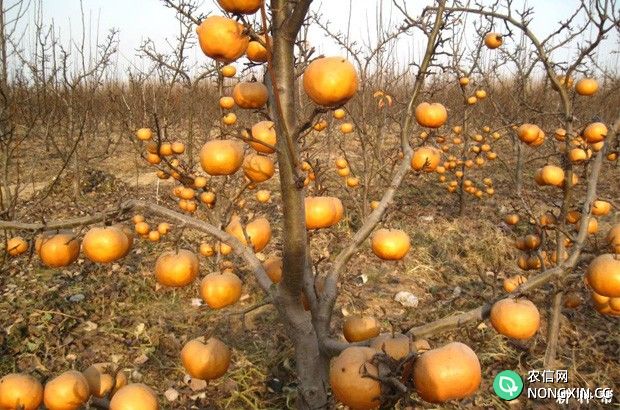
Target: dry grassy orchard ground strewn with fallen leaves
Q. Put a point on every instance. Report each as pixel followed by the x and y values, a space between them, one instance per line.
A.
pixel 456 263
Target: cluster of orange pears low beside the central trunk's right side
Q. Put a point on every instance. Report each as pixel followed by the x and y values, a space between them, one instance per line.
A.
pixel 438 375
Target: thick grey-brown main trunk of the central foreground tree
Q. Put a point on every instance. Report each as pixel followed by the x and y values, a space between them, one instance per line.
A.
pixel 310 365
